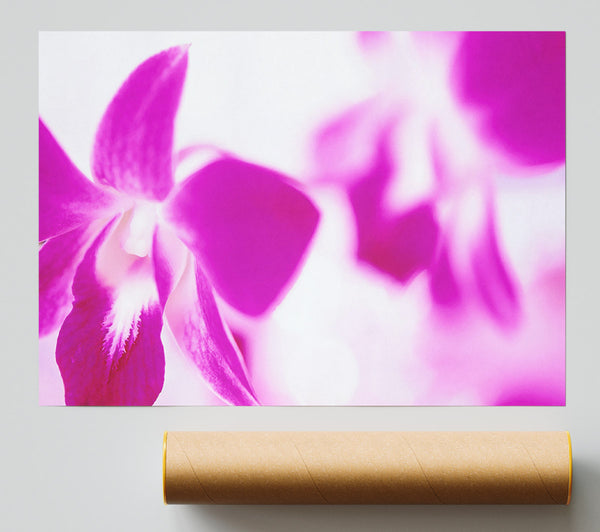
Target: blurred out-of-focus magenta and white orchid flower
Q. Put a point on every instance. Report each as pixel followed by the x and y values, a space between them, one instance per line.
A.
pixel 454 111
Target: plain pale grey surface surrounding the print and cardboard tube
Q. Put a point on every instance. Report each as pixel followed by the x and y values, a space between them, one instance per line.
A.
pixel 97 469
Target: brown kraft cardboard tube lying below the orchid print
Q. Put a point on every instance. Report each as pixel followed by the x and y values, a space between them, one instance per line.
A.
pixel 367 467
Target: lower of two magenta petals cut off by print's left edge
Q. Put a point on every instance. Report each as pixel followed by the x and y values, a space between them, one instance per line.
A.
pixel 58 261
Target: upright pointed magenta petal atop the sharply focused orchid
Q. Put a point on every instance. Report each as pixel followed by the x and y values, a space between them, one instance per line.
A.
pixel 134 142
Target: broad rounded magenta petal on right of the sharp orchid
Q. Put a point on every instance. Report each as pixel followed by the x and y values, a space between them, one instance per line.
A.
pixel 249 228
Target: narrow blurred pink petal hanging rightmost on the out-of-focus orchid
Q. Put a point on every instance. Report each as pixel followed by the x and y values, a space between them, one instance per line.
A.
pixel 495 285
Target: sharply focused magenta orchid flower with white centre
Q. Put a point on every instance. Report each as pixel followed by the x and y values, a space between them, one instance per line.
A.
pixel 131 252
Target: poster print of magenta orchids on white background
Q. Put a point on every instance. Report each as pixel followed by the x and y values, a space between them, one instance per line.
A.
pixel 302 218
